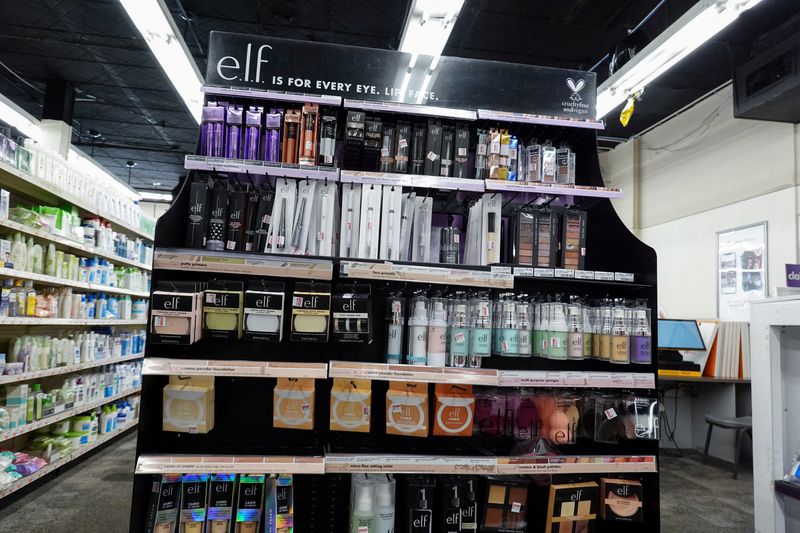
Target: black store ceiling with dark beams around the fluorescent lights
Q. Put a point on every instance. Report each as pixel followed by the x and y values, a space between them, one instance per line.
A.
pixel 125 97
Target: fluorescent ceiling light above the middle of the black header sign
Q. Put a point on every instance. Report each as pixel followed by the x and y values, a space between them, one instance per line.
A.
pixel 428 26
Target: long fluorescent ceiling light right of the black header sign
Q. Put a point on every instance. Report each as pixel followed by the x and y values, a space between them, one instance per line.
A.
pixel 704 20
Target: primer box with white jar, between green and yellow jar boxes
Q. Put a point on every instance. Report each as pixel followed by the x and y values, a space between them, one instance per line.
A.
pixel 263 311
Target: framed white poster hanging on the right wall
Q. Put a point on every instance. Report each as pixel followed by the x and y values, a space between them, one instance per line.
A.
pixel 741 270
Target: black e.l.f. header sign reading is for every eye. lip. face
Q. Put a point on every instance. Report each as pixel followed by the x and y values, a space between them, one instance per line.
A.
pixel 251 61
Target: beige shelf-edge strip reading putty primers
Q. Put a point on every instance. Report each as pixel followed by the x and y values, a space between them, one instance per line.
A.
pixel 284 266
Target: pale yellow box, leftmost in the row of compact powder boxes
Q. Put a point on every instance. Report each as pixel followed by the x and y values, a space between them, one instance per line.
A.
pixel 188 404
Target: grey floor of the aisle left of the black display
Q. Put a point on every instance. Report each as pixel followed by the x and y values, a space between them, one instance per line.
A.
pixel 92 497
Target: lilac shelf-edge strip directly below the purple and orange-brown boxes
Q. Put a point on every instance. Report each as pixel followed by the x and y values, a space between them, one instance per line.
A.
pixel 260 168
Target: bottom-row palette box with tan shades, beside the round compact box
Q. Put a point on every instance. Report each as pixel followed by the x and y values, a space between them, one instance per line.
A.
pixel 572 508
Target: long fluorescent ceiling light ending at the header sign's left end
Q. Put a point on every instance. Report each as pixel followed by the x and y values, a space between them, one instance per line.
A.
pixel 155 23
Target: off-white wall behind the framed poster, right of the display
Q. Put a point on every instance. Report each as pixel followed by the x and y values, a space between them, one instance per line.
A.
pixel 700 173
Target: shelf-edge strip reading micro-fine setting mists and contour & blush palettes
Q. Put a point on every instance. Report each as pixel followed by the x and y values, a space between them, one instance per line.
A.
pixel 452 464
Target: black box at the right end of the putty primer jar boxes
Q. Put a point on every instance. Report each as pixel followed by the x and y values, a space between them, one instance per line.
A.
pixel 352 320
